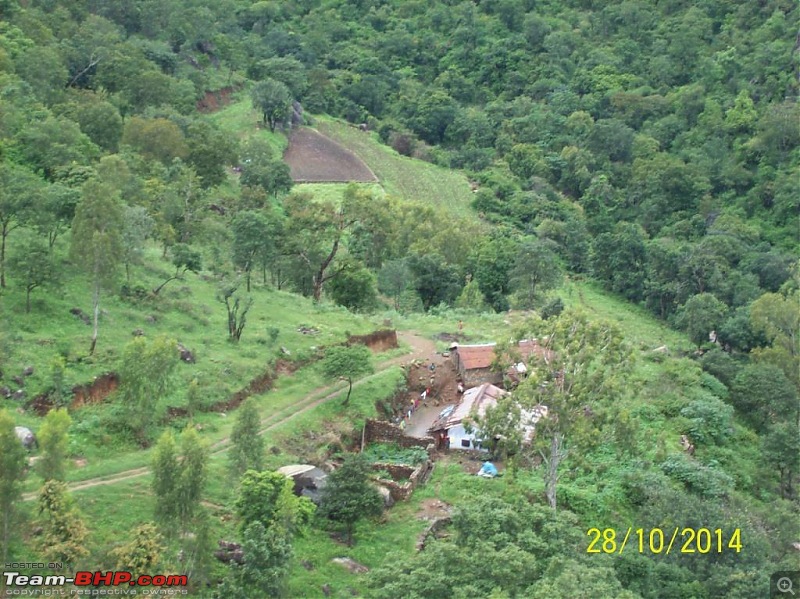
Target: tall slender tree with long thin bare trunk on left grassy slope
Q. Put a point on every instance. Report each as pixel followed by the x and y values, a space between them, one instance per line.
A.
pixel 97 240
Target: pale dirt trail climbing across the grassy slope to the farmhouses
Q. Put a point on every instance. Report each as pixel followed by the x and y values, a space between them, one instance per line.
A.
pixel 420 348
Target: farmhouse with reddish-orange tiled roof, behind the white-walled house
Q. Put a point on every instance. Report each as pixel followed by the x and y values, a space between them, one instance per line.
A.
pixel 473 363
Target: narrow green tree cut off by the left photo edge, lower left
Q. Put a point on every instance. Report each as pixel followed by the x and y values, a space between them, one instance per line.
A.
pixel 12 472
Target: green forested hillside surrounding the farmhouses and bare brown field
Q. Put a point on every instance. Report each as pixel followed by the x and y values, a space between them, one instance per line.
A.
pixel 620 178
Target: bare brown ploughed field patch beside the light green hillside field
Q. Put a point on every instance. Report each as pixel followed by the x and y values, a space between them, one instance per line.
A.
pixel 314 158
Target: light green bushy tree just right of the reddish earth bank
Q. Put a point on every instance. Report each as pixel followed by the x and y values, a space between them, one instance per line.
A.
pixel 145 379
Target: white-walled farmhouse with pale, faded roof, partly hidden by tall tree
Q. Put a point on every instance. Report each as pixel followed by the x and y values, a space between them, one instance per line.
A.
pixel 450 424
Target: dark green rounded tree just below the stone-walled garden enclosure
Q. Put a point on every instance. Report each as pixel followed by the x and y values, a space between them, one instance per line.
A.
pixel 348 495
